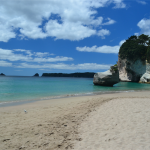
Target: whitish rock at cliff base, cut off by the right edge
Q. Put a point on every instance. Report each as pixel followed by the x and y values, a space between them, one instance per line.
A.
pixel 146 76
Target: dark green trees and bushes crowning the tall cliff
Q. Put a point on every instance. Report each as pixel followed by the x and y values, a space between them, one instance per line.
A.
pixel 136 47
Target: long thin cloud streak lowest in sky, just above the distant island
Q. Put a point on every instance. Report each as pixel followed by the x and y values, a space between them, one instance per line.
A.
pixel 85 66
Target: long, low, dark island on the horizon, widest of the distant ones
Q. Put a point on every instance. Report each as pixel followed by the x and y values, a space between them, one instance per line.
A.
pixel 77 74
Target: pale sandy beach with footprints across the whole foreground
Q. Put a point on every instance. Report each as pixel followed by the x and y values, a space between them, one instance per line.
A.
pixel 119 121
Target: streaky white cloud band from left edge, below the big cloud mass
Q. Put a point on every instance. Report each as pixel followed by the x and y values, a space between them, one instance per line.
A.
pixel 28 56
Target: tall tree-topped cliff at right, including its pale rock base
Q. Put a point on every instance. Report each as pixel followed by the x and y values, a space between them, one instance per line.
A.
pixel 132 61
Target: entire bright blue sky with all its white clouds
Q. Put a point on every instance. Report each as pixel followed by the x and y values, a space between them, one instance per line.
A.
pixel 66 36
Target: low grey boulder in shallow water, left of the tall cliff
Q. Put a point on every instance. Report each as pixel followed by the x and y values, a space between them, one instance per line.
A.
pixel 107 78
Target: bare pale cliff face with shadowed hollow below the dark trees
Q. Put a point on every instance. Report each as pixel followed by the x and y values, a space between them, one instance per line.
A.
pixel 131 71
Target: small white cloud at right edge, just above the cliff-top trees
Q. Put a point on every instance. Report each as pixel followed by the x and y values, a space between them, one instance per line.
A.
pixel 144 25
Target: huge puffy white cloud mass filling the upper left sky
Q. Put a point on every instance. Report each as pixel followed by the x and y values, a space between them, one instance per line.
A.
pixel 61 19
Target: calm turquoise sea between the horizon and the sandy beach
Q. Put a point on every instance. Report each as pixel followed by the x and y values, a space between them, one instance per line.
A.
pixel 41 88
